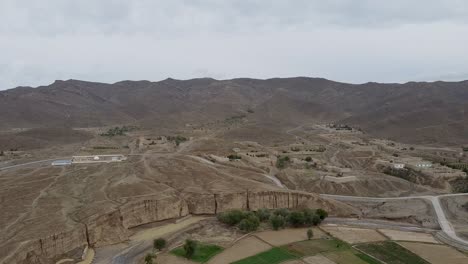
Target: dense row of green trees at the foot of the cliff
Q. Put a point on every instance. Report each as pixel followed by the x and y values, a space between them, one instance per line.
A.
pixel 280 218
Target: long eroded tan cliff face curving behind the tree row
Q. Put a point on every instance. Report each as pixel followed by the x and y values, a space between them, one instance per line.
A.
pixel 113 226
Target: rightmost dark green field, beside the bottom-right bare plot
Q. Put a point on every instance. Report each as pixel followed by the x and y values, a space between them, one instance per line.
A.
pixel 391 253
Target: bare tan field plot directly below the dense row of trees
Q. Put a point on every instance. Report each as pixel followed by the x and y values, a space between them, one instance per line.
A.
pixel 287 236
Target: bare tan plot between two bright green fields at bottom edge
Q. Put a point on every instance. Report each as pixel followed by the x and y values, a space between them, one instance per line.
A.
pixel 244 248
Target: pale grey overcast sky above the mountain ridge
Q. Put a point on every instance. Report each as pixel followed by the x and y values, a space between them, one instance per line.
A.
pixel 345 40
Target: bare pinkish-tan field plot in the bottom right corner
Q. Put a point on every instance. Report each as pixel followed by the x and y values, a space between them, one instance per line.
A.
pixel 436 254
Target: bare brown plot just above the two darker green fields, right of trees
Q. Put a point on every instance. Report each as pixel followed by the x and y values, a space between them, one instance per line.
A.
pixel 354 235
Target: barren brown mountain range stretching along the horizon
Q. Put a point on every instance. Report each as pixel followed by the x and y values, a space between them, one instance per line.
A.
pixel 411 112
